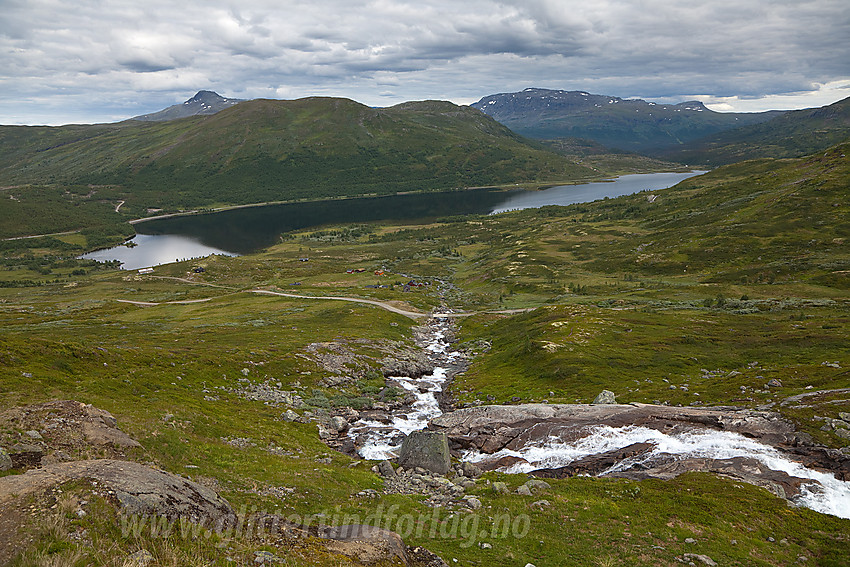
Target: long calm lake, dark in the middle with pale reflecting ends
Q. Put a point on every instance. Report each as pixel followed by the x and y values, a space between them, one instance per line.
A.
pixel 240 231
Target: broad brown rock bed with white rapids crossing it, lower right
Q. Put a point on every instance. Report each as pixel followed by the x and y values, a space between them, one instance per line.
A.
pixel 650 441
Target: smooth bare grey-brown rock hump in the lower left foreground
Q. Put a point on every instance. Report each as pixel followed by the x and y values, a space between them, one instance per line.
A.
pixel 139 489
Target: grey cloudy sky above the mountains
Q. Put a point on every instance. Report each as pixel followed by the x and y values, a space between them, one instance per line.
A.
pixel 86 61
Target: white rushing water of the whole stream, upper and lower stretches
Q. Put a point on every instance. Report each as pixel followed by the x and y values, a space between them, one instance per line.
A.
pixel 381 440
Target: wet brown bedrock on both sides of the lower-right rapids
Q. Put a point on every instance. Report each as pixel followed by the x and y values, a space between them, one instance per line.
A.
pixel 490 429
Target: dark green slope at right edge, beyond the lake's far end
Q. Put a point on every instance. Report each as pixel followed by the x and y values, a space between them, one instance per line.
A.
pixel 792 134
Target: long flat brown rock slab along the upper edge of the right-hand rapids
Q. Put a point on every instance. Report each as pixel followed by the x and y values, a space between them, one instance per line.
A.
pixel 489 429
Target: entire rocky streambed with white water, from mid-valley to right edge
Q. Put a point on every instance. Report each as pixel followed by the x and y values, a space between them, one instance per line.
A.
pixel 620 440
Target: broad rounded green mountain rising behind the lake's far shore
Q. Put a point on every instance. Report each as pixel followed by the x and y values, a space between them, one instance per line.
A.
pixel 265 150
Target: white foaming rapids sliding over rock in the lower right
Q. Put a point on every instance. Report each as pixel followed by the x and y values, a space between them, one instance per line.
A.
pixel 825 494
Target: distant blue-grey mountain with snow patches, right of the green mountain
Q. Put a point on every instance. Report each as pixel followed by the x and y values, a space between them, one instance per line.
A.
pixel 626 124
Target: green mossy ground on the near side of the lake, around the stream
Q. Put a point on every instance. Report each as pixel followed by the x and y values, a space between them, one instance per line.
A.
pixel 719 285
